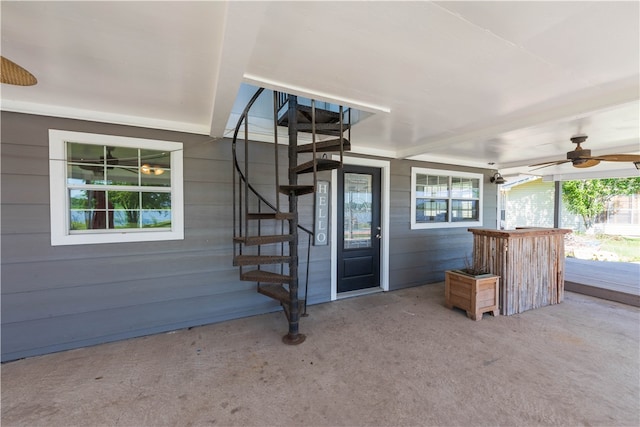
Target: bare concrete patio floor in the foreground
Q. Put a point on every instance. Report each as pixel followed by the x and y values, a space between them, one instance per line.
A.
pixel 398 358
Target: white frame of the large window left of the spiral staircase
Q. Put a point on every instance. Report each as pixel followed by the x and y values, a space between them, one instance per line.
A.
pixel 60 233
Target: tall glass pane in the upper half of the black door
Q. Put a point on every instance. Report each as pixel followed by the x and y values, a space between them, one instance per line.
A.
pixel 357 210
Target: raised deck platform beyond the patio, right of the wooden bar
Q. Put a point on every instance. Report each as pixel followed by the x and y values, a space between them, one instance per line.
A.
pixel 615 281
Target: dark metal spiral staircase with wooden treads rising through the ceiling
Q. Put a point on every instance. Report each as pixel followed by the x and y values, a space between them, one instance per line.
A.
pixel 266 232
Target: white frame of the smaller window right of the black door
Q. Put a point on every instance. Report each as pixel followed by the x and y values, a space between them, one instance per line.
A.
pixel 451 174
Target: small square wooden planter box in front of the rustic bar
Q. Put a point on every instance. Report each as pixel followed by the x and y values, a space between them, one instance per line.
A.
pixel 474 294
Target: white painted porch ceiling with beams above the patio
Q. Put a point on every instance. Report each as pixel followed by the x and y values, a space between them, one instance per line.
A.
pixel 464 83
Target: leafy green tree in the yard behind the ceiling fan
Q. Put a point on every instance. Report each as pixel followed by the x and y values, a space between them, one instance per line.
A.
pixel 588 197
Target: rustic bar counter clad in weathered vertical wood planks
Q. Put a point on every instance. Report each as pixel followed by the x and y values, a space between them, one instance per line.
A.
pixel 530 262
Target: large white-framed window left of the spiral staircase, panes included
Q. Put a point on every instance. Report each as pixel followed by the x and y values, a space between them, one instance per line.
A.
pixel 108 189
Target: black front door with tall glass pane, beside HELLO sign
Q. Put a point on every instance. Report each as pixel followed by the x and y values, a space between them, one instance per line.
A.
pixel 359 229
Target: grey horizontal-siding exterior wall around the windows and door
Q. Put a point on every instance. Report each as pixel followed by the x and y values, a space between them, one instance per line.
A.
pixel 63 297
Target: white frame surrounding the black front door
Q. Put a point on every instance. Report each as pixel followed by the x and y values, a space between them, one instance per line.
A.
pixel 385 176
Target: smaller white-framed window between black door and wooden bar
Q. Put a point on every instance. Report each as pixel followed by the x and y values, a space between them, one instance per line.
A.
pixel 441 198
